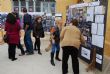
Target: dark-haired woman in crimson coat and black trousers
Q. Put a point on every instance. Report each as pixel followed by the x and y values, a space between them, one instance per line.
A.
pixel 12 29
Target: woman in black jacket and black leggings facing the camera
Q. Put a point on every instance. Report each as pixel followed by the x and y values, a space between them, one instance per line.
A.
pixel 38 32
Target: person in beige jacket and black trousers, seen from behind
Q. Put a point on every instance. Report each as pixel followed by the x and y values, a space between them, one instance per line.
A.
pixel 71 38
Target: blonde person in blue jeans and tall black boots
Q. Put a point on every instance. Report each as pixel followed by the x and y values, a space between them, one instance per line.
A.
pixel 55 45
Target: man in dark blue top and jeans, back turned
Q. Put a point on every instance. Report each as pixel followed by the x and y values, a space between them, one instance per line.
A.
pixel 27 20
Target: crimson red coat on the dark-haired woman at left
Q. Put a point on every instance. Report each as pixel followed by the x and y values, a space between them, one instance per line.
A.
pixel 12 31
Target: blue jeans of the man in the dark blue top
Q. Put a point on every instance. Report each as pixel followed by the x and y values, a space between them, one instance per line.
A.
pixel 28 41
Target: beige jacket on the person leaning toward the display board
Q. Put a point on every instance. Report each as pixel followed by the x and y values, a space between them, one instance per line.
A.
pixel 71 36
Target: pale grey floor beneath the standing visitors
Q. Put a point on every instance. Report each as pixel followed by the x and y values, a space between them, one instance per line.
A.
pixel 33 64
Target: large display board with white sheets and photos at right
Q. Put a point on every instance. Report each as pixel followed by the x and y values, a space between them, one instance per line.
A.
pixel 92 23
